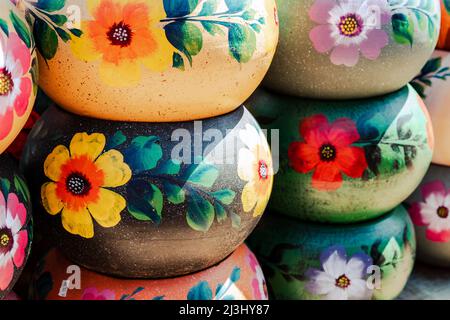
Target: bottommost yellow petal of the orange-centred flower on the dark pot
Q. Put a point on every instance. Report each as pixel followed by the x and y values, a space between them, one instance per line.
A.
pixel 78 222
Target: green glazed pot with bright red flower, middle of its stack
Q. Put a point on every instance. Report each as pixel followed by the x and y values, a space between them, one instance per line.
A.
pixel 346 161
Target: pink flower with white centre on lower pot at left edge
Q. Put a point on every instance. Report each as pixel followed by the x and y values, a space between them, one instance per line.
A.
pixel 13 238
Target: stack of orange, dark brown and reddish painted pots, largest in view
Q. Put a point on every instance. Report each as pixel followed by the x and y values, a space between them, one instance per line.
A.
pixel 149 175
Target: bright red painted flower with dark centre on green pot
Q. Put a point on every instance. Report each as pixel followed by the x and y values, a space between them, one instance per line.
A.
pixel 327 149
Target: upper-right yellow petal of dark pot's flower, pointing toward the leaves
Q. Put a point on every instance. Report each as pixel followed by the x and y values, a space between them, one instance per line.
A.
pixel 116 172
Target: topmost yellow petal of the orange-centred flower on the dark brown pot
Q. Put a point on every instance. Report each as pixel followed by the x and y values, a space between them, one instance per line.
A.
pixel 90 145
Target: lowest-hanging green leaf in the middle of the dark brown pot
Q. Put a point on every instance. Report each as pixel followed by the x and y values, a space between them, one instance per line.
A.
pixel 200 215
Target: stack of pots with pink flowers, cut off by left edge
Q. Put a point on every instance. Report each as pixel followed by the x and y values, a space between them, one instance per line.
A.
pixel 18 86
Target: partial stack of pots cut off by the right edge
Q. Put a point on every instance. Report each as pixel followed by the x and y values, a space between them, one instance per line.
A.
pixel 429 205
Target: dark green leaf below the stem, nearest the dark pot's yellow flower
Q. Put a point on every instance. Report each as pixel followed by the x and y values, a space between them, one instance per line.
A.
pixel 145 201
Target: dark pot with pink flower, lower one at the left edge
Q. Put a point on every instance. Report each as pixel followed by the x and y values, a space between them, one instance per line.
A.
pixel 15 224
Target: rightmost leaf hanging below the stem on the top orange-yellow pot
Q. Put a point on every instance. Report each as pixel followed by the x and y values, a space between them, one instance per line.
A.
pixel 242 42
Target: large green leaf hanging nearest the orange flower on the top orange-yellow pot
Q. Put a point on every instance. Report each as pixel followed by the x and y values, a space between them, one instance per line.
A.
pixel 186 37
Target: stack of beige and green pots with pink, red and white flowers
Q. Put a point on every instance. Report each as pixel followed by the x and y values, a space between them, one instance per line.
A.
pixel 355 140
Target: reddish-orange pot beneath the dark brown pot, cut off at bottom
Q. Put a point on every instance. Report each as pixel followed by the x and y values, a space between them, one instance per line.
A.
pixel 239 277
